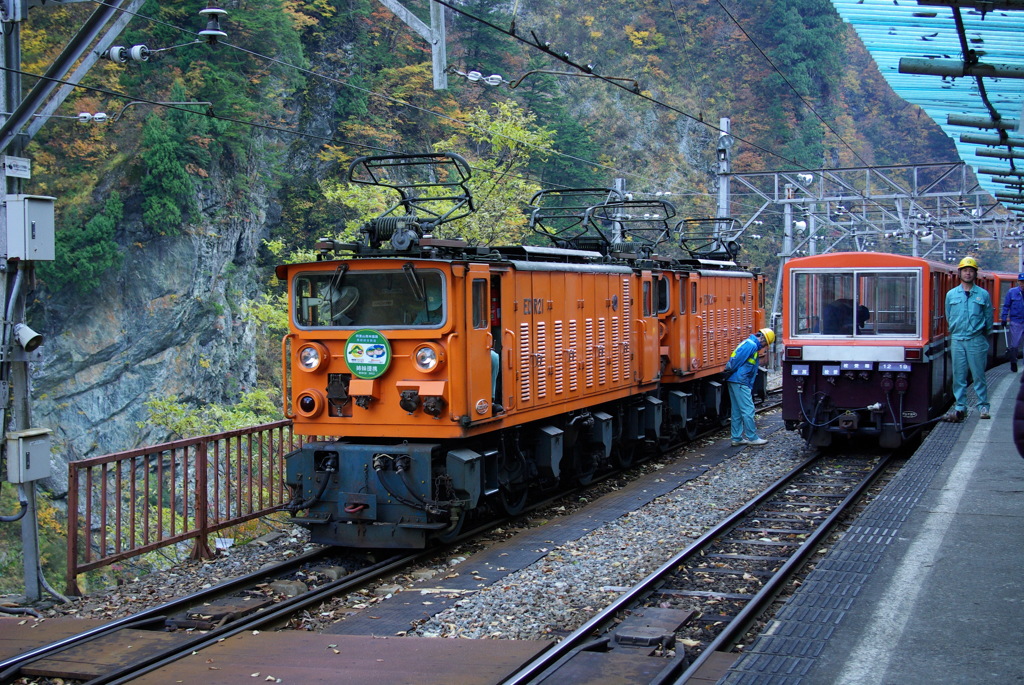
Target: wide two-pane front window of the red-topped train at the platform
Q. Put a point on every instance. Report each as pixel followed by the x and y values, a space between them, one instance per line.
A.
pixel 857 304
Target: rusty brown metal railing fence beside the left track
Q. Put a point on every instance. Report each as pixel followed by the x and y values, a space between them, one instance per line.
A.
pixel 134 502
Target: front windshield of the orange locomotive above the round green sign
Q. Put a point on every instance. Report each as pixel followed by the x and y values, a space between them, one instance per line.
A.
pixel 407 298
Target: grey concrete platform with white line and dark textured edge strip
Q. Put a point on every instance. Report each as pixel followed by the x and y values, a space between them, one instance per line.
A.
pixel 928 586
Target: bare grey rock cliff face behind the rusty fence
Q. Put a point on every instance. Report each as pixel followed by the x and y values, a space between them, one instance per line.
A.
pixel 169 323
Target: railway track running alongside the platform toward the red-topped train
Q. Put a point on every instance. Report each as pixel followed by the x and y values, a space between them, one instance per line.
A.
pixel 699 605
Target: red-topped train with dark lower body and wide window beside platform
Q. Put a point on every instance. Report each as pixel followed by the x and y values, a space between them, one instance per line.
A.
pixel 866 345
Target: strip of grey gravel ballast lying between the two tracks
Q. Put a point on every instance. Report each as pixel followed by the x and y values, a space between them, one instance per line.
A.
pixel 561 593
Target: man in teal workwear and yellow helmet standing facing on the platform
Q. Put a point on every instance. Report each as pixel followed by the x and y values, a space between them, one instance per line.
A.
pixel 969 316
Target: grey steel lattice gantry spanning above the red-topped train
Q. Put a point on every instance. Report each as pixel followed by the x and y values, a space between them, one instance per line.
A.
pixel 930 210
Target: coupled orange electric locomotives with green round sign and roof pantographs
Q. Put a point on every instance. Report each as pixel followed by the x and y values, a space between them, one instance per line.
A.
pixel 454 381
